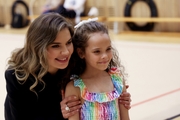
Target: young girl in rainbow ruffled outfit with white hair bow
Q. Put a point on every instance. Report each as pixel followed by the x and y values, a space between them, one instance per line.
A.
pixel 99 78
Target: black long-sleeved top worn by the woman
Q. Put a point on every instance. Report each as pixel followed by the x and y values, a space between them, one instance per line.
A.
pixel 23 104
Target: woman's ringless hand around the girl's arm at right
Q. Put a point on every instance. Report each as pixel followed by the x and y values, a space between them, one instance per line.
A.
pixel 125 99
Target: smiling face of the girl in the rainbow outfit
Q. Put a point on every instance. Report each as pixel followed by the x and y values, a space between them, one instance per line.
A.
pixel 98 52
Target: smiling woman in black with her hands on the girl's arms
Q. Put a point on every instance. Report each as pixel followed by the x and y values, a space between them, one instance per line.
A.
pixel 35 74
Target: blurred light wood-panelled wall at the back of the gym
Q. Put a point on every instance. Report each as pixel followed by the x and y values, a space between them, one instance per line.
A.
pixel 107 8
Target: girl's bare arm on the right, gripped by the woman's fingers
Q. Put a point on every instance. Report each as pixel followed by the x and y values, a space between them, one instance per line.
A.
pixel 124 114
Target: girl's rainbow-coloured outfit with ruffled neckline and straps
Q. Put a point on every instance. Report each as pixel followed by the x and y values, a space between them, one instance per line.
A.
pixel 100 106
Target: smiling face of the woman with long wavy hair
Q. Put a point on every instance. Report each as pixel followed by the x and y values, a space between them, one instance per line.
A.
pixel 60 51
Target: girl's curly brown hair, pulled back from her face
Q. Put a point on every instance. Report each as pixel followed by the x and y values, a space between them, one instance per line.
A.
pixel 81 36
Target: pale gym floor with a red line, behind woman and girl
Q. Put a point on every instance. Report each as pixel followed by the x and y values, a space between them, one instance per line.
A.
pixel 151 60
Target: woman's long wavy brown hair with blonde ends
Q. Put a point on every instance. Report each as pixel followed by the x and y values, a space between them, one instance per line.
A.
pixel 32 58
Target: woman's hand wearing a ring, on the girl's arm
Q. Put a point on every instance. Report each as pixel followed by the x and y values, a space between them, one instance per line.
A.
pixel 72 102
